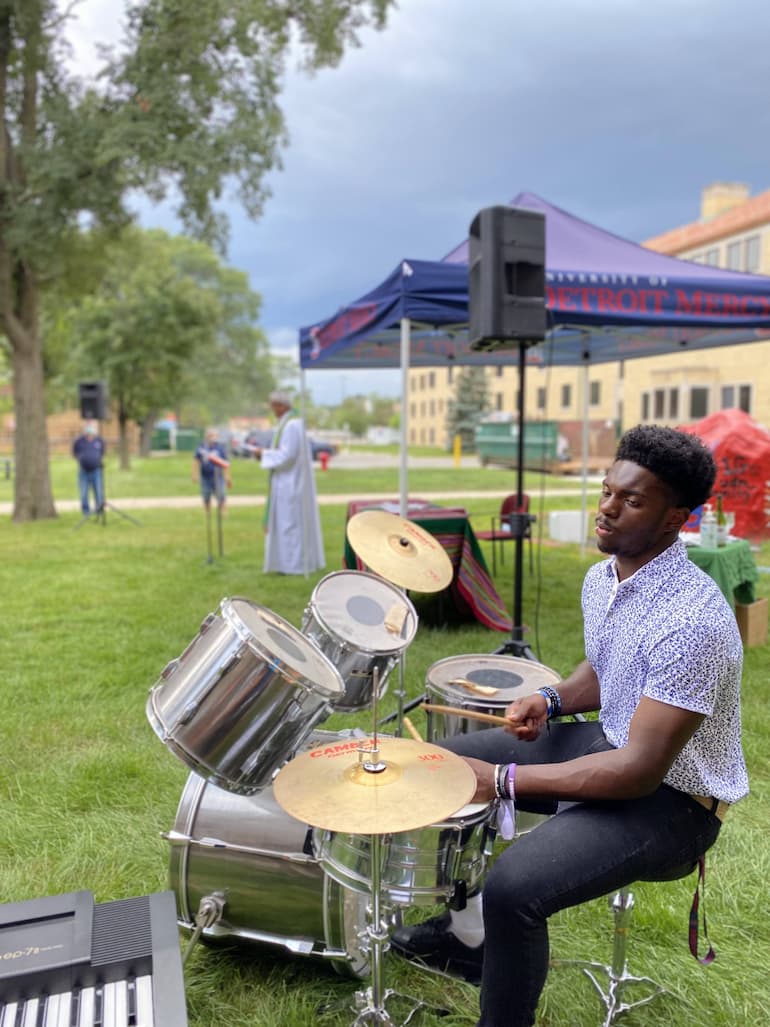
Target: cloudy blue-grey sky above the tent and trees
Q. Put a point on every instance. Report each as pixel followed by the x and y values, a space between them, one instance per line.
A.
pixel 620 111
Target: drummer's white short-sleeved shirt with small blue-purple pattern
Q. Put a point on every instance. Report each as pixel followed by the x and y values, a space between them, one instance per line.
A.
pixel 669 633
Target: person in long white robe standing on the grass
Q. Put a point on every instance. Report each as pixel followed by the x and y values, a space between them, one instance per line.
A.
pixel 294 544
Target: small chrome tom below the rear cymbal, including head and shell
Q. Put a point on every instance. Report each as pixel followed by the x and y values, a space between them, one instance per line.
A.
pixel 362 624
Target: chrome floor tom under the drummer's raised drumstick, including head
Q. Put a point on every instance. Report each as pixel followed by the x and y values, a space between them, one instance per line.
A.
pixel 480 683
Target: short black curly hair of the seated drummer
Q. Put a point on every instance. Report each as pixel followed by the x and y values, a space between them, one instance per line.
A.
pixel 682 462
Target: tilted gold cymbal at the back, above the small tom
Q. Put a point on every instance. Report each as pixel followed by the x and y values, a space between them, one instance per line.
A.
pixel 400 551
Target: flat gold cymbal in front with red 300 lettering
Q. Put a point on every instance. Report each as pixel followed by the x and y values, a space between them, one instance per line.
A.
pixel 416 784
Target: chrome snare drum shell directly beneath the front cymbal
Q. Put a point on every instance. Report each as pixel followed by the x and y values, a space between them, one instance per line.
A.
pixel 437 864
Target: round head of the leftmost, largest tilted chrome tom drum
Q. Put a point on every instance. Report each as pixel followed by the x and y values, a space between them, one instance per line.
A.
pixel 286 646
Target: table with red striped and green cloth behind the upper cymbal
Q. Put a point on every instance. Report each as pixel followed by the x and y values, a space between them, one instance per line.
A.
pixel 472 593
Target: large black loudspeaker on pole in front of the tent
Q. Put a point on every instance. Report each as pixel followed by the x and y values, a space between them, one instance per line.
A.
pixel 507 279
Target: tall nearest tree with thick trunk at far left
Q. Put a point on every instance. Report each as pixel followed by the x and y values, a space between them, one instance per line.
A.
pixel 189 104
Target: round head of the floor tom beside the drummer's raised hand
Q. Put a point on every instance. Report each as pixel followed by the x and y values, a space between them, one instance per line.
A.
pixel 511 677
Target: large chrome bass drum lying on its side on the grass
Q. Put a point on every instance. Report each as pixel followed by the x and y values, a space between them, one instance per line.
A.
pixel 259 863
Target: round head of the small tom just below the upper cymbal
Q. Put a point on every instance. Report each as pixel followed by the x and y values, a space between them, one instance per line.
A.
pixel 366 612
